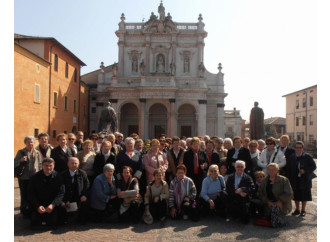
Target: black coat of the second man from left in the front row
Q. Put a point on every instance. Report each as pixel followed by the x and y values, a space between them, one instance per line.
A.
pixel 74 191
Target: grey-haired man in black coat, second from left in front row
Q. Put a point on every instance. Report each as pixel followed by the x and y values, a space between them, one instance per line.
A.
pixel 76 187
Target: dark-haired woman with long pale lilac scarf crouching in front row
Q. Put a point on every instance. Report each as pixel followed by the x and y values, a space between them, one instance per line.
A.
pixel 182 195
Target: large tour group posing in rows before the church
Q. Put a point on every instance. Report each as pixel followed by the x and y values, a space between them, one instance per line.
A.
pixel 109 178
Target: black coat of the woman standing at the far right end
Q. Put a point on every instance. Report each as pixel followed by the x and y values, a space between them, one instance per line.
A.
pixel 308 164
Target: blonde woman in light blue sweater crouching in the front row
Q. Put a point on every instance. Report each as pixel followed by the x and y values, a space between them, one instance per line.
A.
pixel 213 195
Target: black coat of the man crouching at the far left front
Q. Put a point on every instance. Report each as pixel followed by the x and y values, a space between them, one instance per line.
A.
pixel 45 190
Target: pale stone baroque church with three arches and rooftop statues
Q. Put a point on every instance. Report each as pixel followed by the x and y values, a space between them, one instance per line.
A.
pixel 160 84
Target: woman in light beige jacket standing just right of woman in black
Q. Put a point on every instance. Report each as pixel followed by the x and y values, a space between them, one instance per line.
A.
pixel 86 159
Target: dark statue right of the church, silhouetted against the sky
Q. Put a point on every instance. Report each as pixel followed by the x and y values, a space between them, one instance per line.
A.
pixel 256 122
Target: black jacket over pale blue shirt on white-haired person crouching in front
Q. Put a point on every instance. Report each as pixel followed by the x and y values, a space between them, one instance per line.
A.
pixel 246 184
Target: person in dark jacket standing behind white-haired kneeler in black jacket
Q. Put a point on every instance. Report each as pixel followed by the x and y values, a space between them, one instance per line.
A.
pixel 238 152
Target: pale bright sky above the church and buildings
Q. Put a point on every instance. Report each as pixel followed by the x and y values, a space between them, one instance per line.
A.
pixel 267 48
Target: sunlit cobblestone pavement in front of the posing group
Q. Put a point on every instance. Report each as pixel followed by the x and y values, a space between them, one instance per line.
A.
pixel 207 229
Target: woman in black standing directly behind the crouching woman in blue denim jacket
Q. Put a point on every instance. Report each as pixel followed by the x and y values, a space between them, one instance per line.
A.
pixel 104 157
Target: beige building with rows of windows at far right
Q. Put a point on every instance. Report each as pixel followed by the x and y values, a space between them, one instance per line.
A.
pixel 301 115
